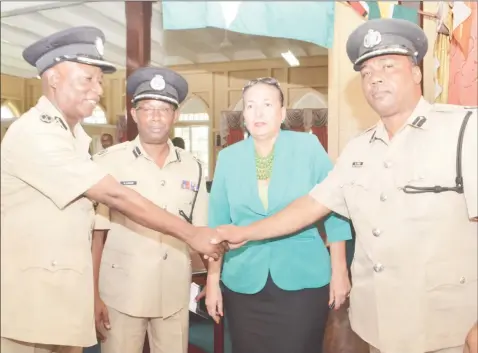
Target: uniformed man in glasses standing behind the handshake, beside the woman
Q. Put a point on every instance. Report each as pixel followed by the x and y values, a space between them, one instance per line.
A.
pixel 145 275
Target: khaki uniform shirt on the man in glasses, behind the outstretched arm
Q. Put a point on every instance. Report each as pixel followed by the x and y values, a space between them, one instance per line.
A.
pixel 145 273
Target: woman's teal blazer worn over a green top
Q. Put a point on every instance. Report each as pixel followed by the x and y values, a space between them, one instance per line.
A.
pixel 295 261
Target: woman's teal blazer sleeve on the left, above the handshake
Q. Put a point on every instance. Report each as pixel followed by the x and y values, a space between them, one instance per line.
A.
pixel 219 211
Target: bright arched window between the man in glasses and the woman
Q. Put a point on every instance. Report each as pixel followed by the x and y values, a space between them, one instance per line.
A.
pixel 193 127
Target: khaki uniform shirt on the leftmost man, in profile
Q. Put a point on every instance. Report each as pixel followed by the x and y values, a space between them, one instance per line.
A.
pixel 46 266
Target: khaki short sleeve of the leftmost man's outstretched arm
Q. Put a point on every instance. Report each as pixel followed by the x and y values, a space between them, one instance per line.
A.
pixel 48 161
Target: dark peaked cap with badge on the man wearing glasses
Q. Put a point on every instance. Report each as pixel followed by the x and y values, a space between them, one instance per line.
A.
pixel 157 83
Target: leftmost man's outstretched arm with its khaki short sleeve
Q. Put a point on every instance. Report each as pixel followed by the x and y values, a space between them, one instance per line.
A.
pixel 59 172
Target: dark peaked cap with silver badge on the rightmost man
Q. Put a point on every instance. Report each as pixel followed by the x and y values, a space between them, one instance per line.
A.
pixel 387 36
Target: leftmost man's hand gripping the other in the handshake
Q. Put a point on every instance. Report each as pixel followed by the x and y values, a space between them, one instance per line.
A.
pixel 208 242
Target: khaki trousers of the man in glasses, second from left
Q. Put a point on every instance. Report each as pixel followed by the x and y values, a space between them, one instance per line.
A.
pixel 166 335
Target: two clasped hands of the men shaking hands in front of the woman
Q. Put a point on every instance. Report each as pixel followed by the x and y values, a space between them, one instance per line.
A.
pixel 213 243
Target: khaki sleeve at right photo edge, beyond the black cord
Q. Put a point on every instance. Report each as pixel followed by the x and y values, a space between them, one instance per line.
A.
pixel 470 166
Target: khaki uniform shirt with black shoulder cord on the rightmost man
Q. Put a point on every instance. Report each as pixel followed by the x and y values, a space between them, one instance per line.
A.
pixel 414 272
